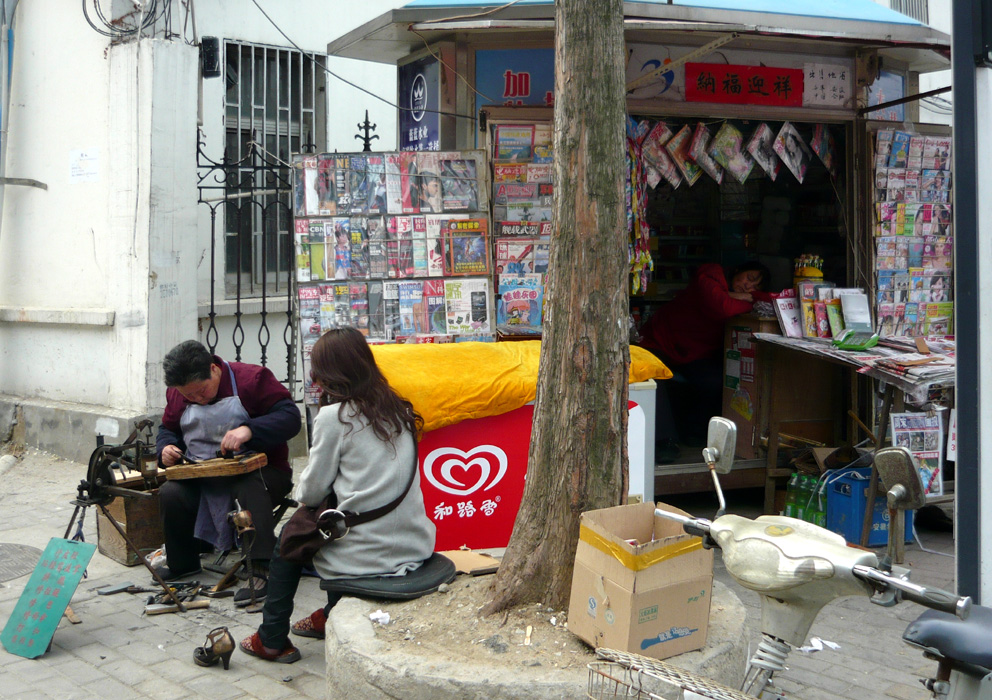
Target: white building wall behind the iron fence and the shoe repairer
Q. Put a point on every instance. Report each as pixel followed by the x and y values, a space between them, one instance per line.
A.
pixel 102 273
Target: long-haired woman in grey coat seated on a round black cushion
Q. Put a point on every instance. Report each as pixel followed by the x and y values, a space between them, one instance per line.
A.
pixel 364 446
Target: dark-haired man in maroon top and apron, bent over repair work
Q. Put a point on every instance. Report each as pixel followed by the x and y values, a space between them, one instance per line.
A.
pixel 215 406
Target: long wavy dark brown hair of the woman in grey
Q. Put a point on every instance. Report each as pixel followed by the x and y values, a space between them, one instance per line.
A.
pixel 343 365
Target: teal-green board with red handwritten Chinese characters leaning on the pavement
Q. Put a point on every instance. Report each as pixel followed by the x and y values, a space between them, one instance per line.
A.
pixel 45 598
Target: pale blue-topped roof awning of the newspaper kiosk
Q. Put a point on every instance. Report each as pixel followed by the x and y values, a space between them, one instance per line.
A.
pixel 396 34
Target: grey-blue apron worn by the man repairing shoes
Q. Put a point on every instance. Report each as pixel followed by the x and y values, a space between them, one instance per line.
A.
pixel 203 427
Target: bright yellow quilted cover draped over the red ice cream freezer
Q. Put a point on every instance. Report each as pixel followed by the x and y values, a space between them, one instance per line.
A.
pixel 450 382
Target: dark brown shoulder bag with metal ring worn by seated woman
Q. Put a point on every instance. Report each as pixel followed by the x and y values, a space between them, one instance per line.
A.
pixel 309 529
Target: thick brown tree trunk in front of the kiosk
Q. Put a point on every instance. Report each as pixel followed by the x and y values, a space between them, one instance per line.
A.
pixel 578 448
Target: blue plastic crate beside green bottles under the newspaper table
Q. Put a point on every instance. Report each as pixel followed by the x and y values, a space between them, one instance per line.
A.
pixel 846 498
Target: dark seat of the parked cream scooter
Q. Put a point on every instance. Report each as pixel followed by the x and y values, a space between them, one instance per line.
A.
pixel 968 641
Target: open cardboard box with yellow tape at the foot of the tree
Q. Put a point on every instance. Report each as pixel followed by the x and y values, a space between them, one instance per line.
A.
pixel 650 598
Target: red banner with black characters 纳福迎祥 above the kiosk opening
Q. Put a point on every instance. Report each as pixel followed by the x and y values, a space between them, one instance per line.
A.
pixel 743 85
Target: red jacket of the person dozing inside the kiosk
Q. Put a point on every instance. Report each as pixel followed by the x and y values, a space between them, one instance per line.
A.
pixel 690 327
